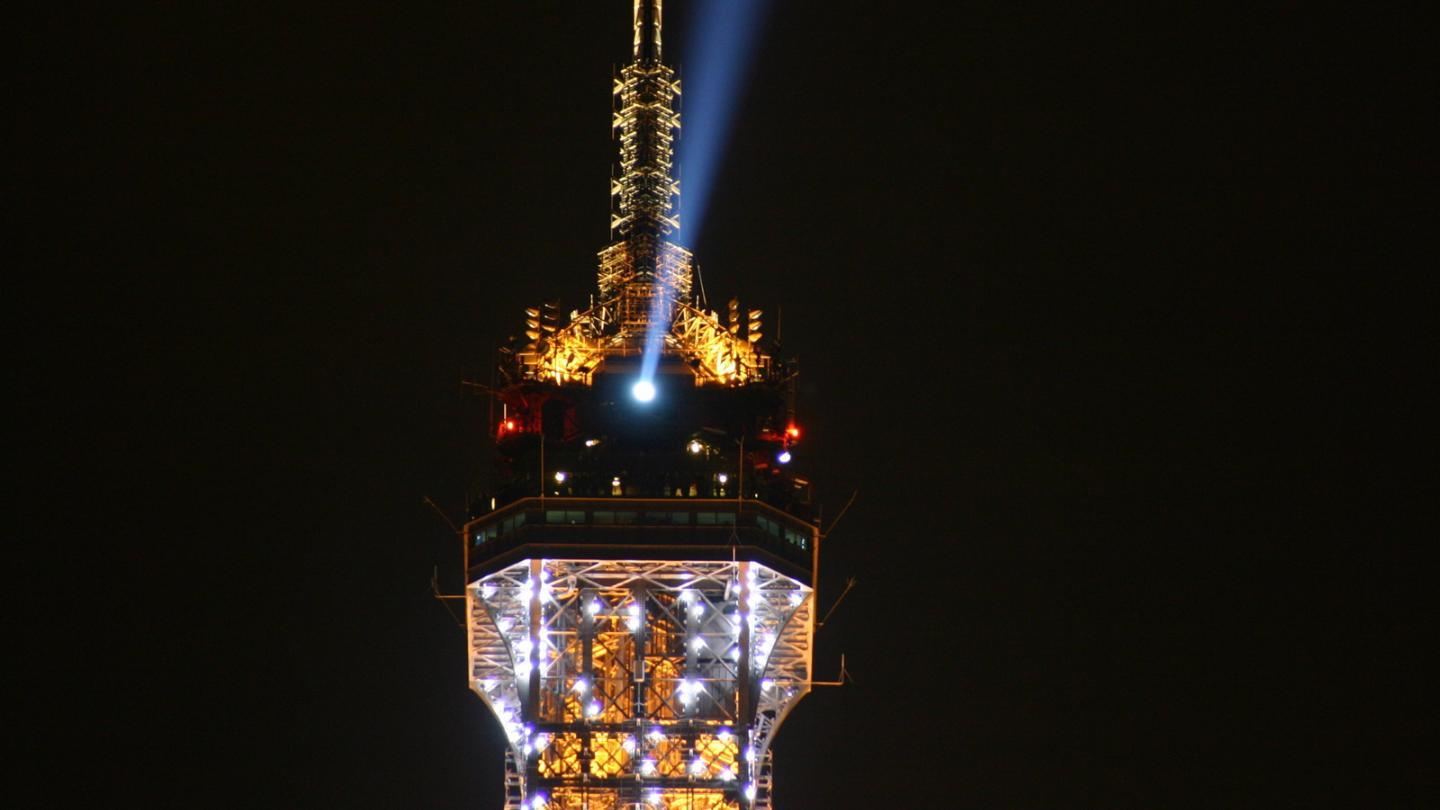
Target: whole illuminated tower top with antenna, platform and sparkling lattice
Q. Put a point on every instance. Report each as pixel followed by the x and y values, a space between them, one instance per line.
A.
pixel 640 590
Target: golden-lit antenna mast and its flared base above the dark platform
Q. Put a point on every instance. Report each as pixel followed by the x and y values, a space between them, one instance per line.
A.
pixel 646 280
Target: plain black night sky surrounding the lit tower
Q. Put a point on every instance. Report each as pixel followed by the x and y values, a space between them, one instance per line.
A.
pixel 1089 306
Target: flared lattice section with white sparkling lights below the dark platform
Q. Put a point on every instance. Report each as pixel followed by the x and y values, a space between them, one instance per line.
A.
pixel 640 684
